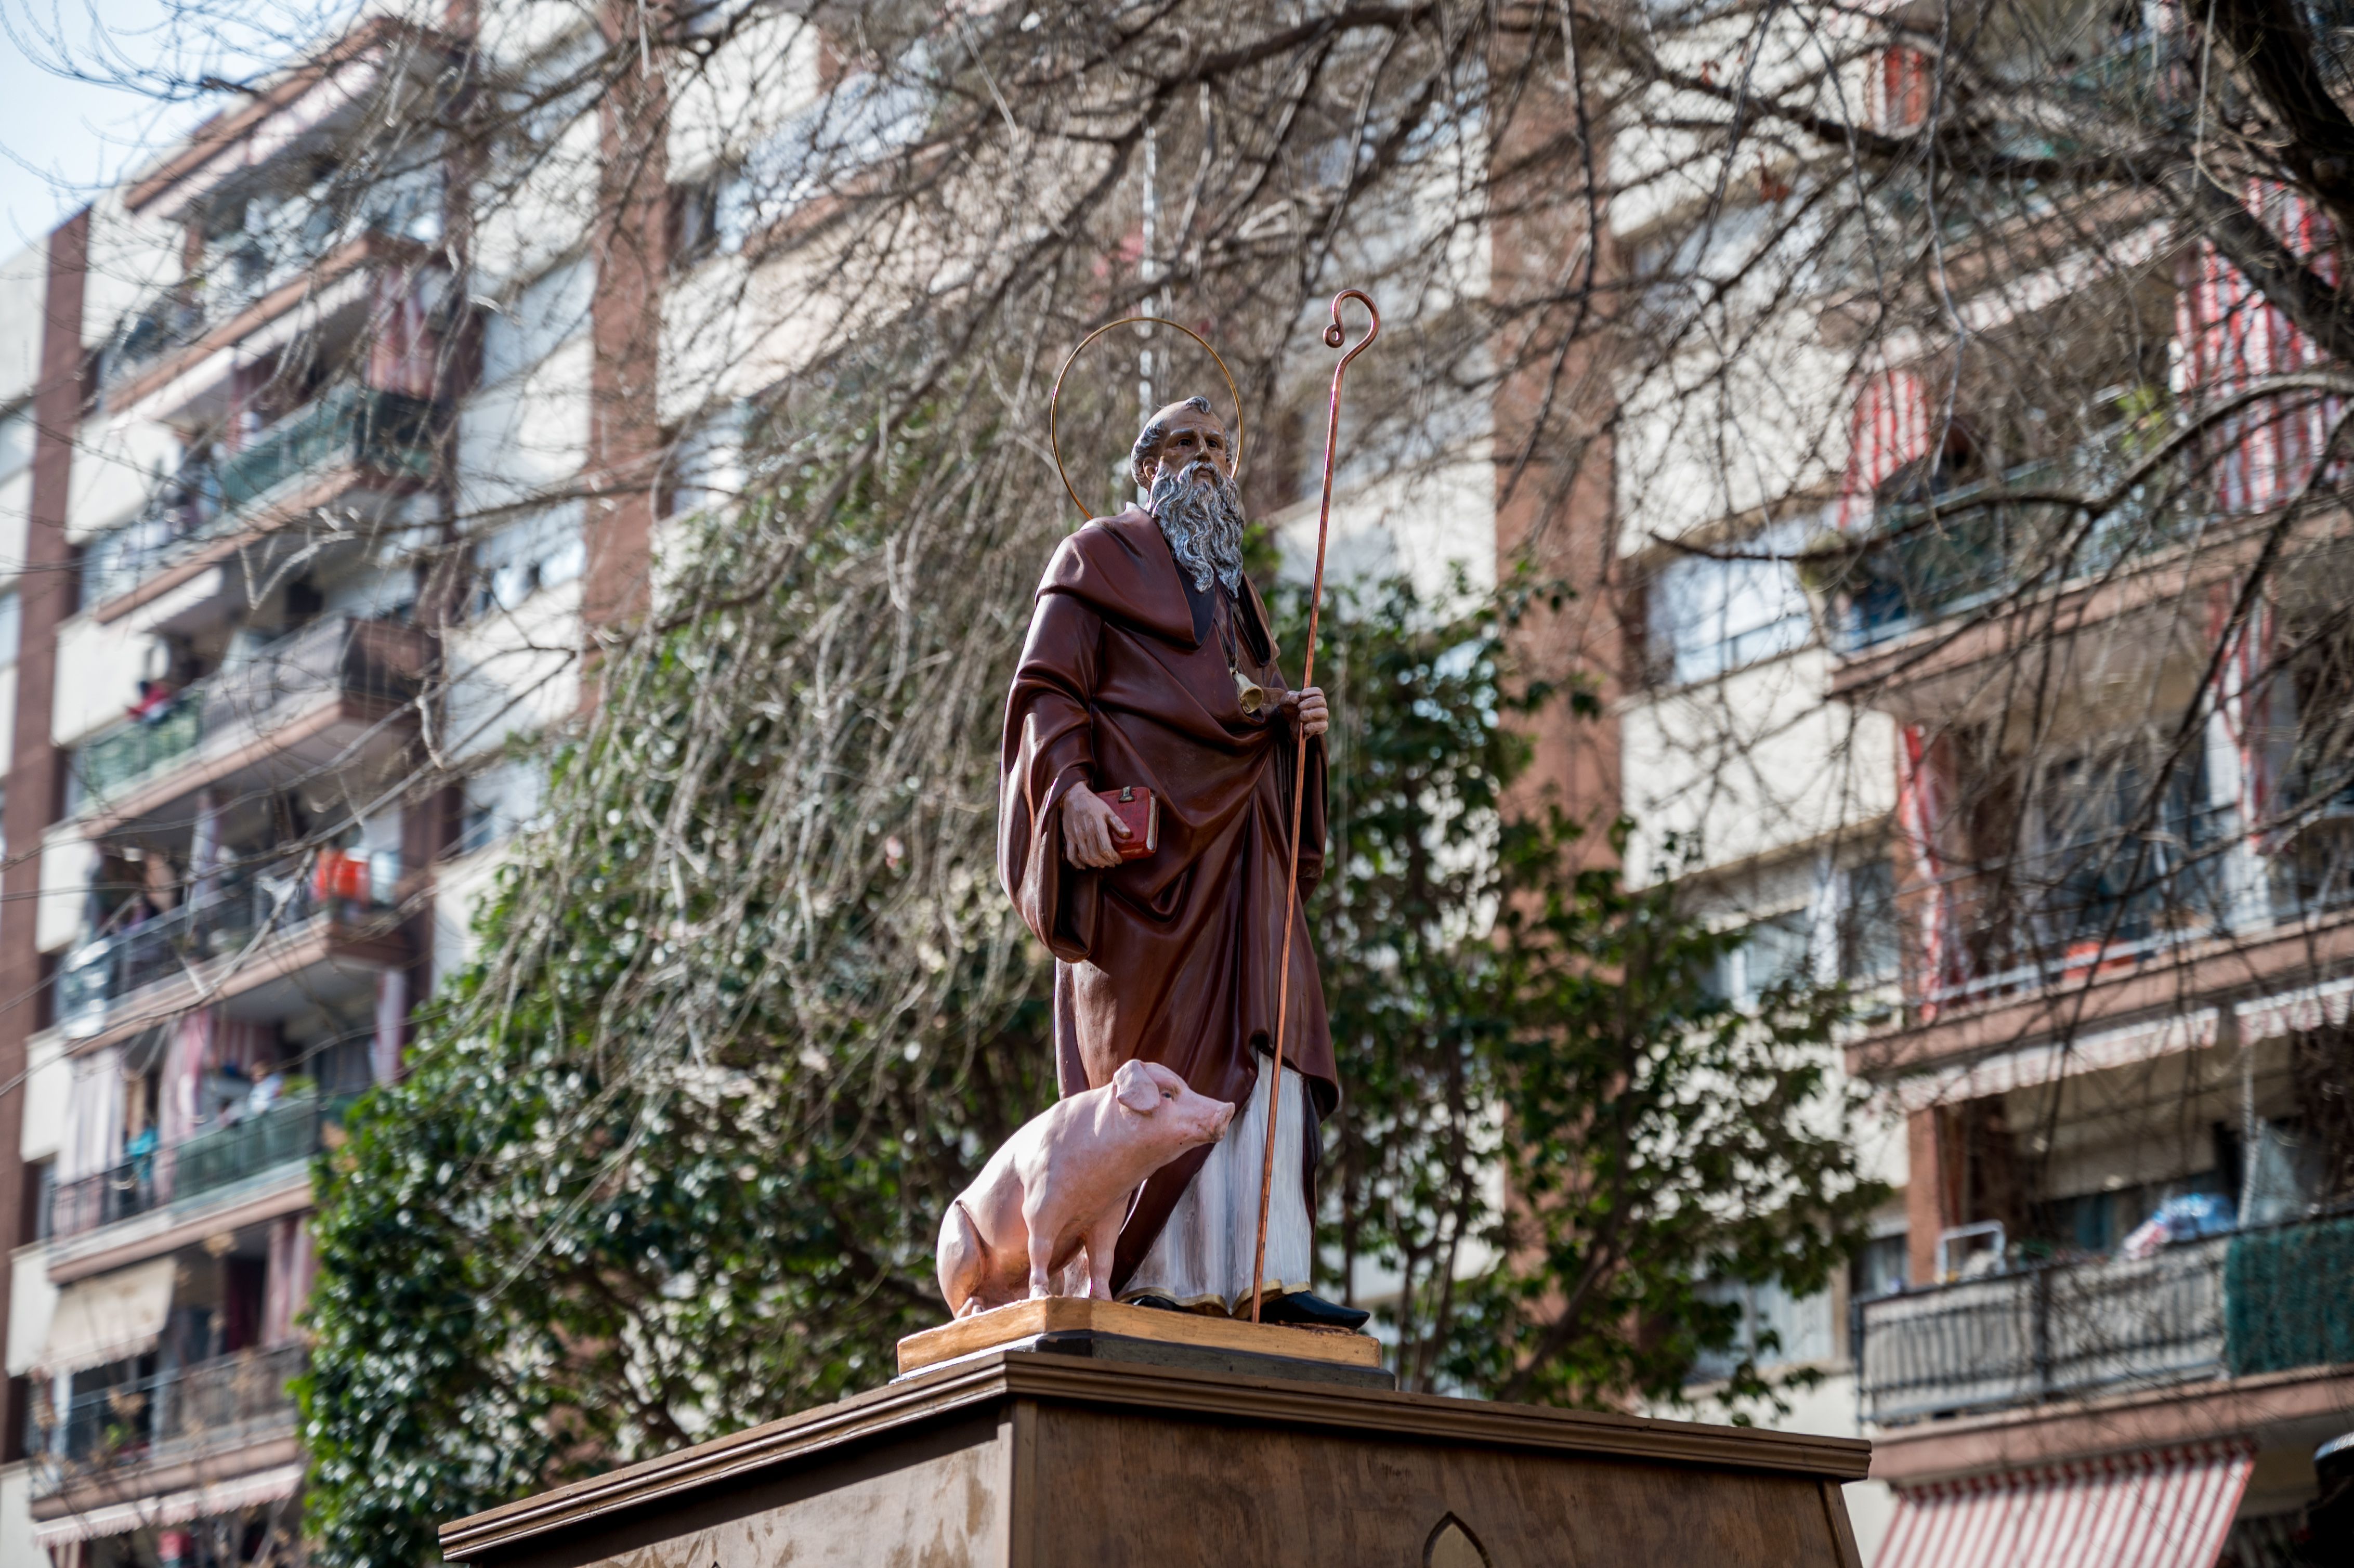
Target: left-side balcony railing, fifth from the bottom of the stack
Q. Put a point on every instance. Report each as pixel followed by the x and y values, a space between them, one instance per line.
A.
pixel 208 498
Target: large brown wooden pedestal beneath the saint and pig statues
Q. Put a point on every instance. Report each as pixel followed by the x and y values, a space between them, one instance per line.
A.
pixel 1039 1459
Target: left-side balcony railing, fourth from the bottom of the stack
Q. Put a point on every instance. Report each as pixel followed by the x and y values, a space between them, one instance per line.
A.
pixel 333 656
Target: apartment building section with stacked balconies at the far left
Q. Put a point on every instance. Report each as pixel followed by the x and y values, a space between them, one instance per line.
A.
pixel 262 660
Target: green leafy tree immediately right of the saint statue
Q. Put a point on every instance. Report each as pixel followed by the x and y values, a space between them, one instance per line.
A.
pixel 1555 1131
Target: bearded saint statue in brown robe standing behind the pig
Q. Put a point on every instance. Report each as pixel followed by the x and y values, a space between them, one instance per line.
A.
pixel 1152 665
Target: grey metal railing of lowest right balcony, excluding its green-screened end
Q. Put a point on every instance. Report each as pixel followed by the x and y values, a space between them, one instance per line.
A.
pixel 2059 1331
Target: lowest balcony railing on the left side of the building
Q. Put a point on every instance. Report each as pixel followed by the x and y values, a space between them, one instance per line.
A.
pixel 213 1404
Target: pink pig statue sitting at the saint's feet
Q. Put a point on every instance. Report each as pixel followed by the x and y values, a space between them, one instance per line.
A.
pixel 1065 1183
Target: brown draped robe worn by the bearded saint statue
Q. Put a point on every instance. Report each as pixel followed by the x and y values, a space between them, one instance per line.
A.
pixel 1173 957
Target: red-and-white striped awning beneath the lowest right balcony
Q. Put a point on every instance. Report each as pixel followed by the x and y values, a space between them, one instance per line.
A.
pixel 2165 1508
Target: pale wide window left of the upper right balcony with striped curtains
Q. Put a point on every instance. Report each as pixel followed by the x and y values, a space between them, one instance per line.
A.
pixel 1713 616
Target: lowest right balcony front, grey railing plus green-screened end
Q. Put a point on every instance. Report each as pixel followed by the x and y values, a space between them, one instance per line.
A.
pixel 2077 1329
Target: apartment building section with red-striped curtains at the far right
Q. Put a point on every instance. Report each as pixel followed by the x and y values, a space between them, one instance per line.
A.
pixel 2061 835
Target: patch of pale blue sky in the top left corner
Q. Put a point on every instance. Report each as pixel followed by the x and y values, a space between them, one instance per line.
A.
pixel 88 88
